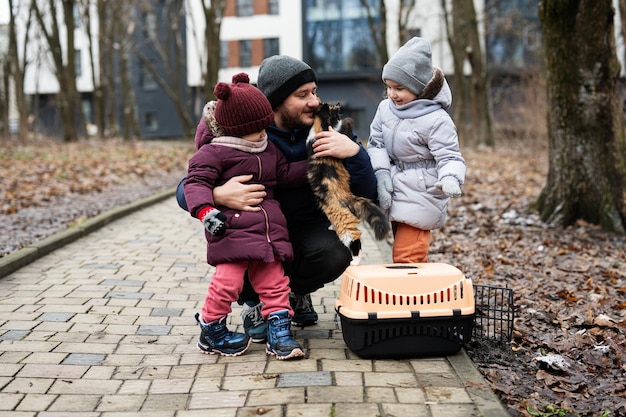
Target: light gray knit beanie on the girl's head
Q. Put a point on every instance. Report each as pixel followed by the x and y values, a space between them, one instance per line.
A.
pixel 411 65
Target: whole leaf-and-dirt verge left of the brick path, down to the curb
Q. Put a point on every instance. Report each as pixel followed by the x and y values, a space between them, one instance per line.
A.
pixel 47 186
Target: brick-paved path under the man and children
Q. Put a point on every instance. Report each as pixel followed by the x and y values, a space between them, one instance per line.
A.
pixel 103 327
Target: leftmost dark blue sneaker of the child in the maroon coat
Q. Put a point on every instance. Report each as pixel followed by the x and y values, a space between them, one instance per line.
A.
pixel 216 338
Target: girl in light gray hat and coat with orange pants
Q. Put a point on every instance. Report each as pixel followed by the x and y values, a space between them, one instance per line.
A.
pixel 414 150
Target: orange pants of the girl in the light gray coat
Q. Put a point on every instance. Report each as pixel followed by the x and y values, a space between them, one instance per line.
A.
pixel 410 244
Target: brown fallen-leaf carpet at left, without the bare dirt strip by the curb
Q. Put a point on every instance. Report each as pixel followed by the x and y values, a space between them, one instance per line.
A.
pixel 36 173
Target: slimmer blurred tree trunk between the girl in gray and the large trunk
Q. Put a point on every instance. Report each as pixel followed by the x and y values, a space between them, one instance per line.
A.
pixel 472 107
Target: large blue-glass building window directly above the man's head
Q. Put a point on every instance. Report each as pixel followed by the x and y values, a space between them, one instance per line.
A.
pixel 338 36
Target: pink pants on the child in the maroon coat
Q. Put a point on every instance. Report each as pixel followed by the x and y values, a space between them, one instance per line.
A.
pixel 267 279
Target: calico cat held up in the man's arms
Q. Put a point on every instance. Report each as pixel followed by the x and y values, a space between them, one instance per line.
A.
pixel 330 182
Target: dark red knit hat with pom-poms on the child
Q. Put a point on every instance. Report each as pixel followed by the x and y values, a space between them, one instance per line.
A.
pixel 241 107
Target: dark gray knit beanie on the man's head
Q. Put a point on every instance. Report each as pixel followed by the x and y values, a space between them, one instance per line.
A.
pixel 281 75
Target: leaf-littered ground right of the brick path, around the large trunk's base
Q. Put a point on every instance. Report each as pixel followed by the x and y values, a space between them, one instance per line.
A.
pixel 568 354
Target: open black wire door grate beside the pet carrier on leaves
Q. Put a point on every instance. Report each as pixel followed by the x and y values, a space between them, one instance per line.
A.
pixel 494 313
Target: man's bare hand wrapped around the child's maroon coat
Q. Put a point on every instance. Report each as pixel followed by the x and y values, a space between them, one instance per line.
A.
pixel 238 195
